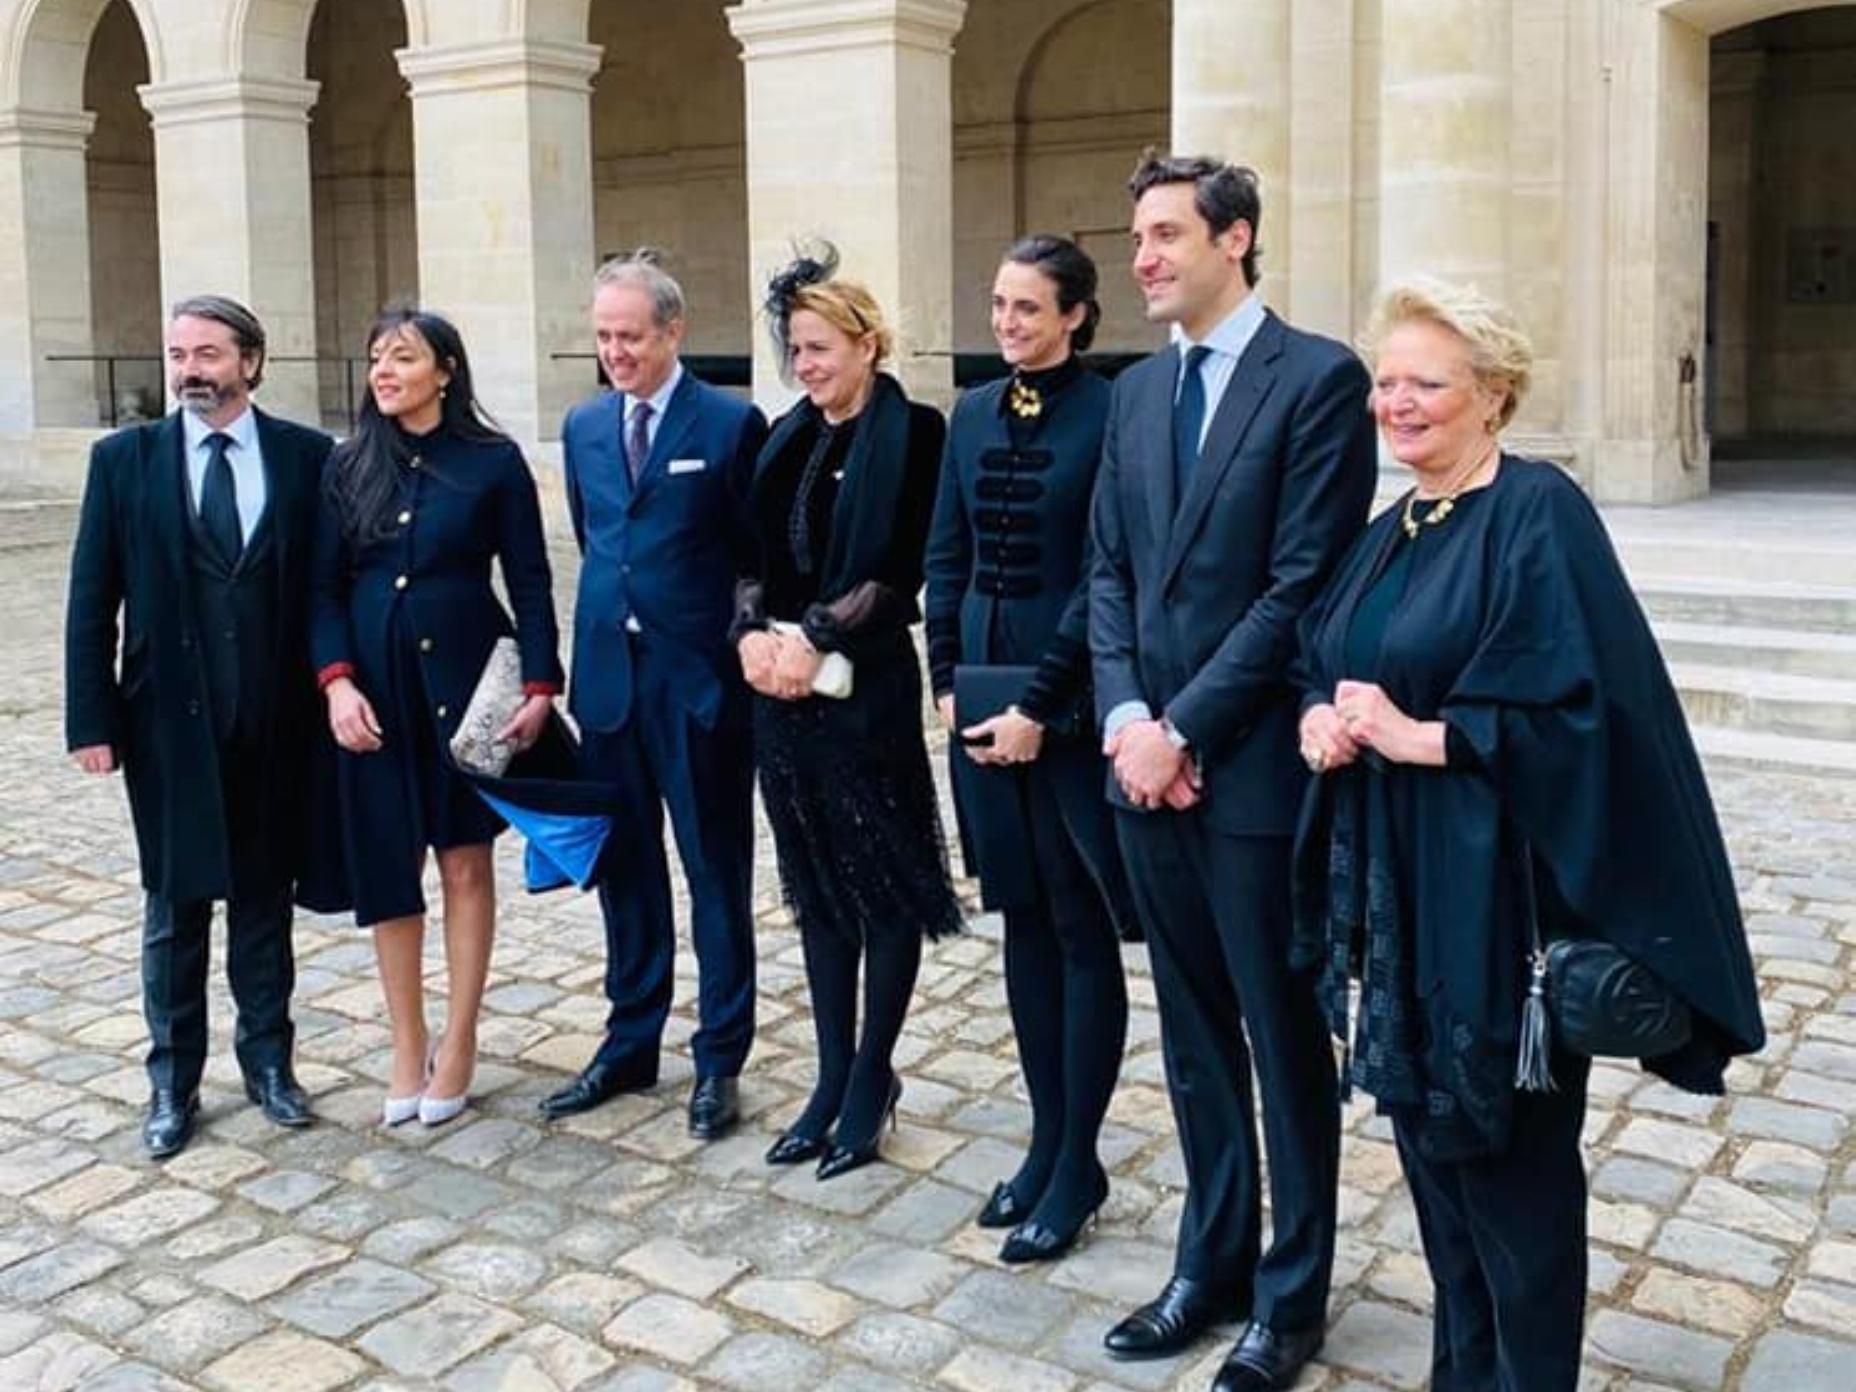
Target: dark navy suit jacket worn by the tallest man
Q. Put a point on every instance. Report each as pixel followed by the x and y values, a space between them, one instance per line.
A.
pixel 1194 602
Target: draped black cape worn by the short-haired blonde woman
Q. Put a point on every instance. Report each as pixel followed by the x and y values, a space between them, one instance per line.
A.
pixel 1521 632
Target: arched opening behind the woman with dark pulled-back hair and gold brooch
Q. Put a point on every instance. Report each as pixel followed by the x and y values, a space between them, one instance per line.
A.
pixel 1053 105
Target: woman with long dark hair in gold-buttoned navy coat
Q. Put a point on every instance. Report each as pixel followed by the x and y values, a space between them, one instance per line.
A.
pixel 417 506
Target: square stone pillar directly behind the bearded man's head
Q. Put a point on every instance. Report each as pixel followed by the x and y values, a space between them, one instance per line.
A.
pixel 233 194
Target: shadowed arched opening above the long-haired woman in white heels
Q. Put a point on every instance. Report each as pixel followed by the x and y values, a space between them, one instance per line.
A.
pixel 363 188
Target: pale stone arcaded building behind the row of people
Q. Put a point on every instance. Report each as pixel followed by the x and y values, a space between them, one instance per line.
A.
pixel 1660 188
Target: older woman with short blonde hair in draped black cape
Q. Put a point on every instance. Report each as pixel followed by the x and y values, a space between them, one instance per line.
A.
pixel 1501 756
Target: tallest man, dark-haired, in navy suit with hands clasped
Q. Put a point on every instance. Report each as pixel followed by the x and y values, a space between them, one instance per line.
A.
pixel 1237 469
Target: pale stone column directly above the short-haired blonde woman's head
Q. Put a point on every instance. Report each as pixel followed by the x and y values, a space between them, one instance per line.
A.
pixel 1445 96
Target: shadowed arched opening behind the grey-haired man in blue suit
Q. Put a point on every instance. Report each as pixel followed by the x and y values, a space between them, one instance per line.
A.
pixel 669 157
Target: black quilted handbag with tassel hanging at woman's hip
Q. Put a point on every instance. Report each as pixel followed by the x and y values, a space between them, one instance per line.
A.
pixel 1593 999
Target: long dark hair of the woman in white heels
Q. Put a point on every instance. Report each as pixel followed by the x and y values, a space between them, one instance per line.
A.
pixel 363 478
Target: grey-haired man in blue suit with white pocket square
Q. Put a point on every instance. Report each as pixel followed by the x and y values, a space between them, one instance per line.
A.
pixel 658 478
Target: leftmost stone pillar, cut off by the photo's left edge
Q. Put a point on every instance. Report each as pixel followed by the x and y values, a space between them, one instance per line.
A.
pixel 45 272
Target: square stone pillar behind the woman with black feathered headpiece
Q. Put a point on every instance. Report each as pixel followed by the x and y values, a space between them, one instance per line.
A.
pixel 851 138
